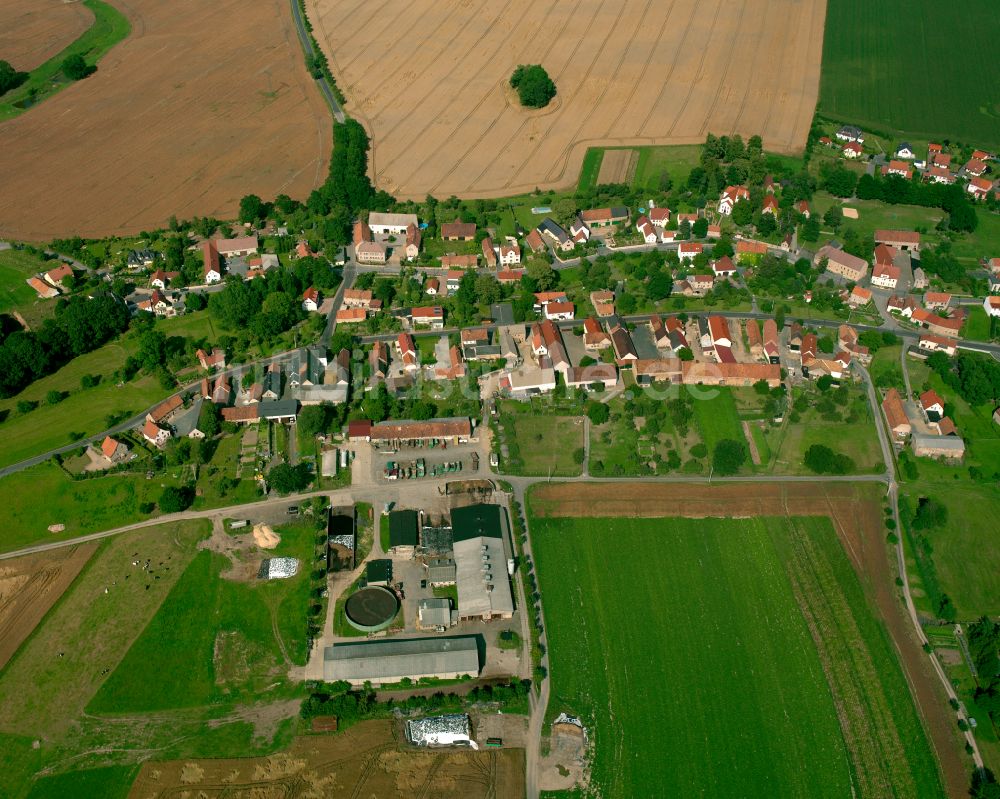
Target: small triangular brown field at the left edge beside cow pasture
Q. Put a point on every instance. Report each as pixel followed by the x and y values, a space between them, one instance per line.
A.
pixel 29 586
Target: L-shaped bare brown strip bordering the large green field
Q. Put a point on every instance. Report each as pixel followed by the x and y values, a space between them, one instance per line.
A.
pixel 856 512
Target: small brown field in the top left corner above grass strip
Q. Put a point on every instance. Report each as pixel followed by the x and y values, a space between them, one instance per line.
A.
pixel 32 31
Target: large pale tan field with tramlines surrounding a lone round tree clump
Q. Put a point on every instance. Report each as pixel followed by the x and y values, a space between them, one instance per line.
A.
pixel 428 79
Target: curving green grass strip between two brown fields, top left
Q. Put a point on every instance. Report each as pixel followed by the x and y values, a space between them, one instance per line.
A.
pixel 110 27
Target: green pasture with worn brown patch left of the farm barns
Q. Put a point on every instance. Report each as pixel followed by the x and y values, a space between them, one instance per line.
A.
pixel 220 639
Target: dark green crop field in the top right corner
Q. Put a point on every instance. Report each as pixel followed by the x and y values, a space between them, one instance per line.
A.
pixel 934 75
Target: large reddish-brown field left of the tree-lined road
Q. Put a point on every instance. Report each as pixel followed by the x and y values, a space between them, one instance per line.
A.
pixel 202 104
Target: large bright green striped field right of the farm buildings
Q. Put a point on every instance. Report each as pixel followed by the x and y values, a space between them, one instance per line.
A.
pixel 734 642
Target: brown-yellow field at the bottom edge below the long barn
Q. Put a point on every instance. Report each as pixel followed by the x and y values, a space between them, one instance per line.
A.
pixel 364 761
